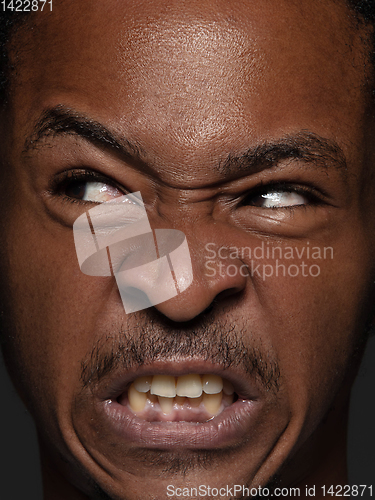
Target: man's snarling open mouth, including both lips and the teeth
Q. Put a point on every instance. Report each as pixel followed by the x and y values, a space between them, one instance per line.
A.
pixel 188 405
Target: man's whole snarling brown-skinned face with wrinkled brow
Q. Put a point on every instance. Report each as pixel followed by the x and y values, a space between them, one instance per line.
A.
pixel 242 124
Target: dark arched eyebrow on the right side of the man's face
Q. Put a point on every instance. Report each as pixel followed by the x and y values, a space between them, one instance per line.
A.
pixel 304 146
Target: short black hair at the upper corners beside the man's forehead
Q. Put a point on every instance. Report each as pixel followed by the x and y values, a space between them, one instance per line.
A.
pixel 10 21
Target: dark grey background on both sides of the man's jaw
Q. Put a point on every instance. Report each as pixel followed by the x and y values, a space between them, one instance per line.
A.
pixel 19 461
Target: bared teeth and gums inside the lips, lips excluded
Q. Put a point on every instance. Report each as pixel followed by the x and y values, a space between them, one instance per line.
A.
pixel 186 398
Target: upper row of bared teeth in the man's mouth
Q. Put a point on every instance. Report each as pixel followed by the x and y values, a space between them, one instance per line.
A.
pixel 190 386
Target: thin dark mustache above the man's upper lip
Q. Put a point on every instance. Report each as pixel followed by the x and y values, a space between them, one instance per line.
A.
pixel 221 343
